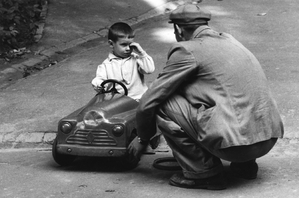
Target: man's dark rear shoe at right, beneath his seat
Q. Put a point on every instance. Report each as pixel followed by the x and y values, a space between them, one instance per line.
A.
pixel 245 170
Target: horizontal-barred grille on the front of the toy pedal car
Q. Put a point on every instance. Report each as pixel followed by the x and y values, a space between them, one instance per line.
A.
pixel 92 138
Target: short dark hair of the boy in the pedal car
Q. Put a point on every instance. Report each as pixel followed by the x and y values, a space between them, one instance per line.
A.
pixel 120 30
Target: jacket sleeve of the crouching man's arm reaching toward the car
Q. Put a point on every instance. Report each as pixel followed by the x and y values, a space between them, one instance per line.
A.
pixel 180 65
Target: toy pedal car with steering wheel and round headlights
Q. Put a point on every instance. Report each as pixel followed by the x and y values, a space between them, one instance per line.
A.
pixel 102 128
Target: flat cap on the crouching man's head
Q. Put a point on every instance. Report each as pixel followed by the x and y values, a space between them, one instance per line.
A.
pixel 189 14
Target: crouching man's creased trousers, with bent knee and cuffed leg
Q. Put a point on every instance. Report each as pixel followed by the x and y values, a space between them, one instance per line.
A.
pixel 174 119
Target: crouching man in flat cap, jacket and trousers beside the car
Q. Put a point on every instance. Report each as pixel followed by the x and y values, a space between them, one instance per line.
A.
pixel 211 102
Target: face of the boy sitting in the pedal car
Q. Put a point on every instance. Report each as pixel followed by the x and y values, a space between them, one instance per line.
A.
pixel 121 48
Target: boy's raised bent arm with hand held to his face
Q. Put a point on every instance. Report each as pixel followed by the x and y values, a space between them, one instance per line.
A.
pixel 145 62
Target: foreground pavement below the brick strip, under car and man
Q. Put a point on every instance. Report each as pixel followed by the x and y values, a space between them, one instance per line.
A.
pixel 33 173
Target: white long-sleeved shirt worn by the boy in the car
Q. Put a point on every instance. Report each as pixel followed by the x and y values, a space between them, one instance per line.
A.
pixel 130 71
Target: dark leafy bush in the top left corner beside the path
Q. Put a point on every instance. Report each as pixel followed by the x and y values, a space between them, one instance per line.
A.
pixel 18 19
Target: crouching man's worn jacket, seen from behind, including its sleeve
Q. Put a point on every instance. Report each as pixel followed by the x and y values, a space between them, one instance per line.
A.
pixel 218 75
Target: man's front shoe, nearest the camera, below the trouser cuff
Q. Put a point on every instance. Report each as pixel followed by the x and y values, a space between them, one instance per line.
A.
pixel 216 182
